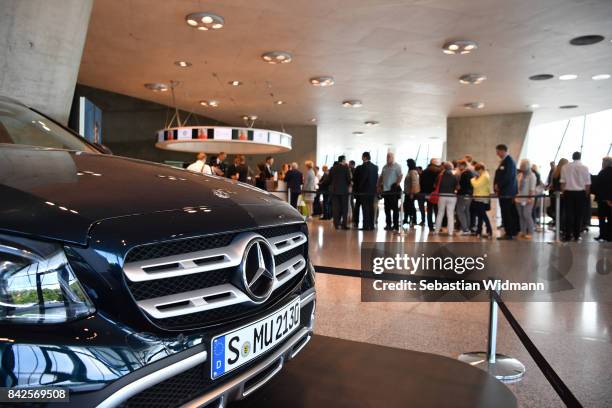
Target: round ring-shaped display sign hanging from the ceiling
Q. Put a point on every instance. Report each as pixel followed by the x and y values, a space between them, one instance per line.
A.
pixel 215 139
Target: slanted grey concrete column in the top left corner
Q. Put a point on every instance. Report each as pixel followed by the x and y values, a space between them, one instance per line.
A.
pixel 41 43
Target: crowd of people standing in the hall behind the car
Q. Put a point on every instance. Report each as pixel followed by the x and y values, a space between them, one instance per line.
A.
pixel 442 197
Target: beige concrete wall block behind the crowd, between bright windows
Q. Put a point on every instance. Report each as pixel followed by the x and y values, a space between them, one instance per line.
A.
pixel 478 136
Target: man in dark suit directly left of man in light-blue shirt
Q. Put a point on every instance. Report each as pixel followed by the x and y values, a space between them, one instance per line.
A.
pixel 364 187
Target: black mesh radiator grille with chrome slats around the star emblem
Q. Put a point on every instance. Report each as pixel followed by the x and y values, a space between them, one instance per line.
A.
pixel 194 282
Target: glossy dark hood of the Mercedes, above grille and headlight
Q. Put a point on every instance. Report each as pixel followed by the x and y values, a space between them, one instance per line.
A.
pixel 60 195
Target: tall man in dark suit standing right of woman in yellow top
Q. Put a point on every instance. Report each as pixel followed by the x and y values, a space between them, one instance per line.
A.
pixel 506 187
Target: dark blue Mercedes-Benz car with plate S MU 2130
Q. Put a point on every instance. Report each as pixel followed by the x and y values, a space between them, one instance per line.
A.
pixel 135 284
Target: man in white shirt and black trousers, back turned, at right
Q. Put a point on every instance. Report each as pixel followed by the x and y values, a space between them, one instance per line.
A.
pixel 575 184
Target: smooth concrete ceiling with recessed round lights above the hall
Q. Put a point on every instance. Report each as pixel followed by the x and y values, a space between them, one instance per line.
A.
pixel 386 53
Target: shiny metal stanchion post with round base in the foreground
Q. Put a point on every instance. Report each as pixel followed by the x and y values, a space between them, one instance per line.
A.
pixel 500 366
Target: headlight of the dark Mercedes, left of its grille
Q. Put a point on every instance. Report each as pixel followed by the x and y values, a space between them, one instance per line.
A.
pixel 37 285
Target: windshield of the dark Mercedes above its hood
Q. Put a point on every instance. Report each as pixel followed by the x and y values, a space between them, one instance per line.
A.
pixel 22 126
